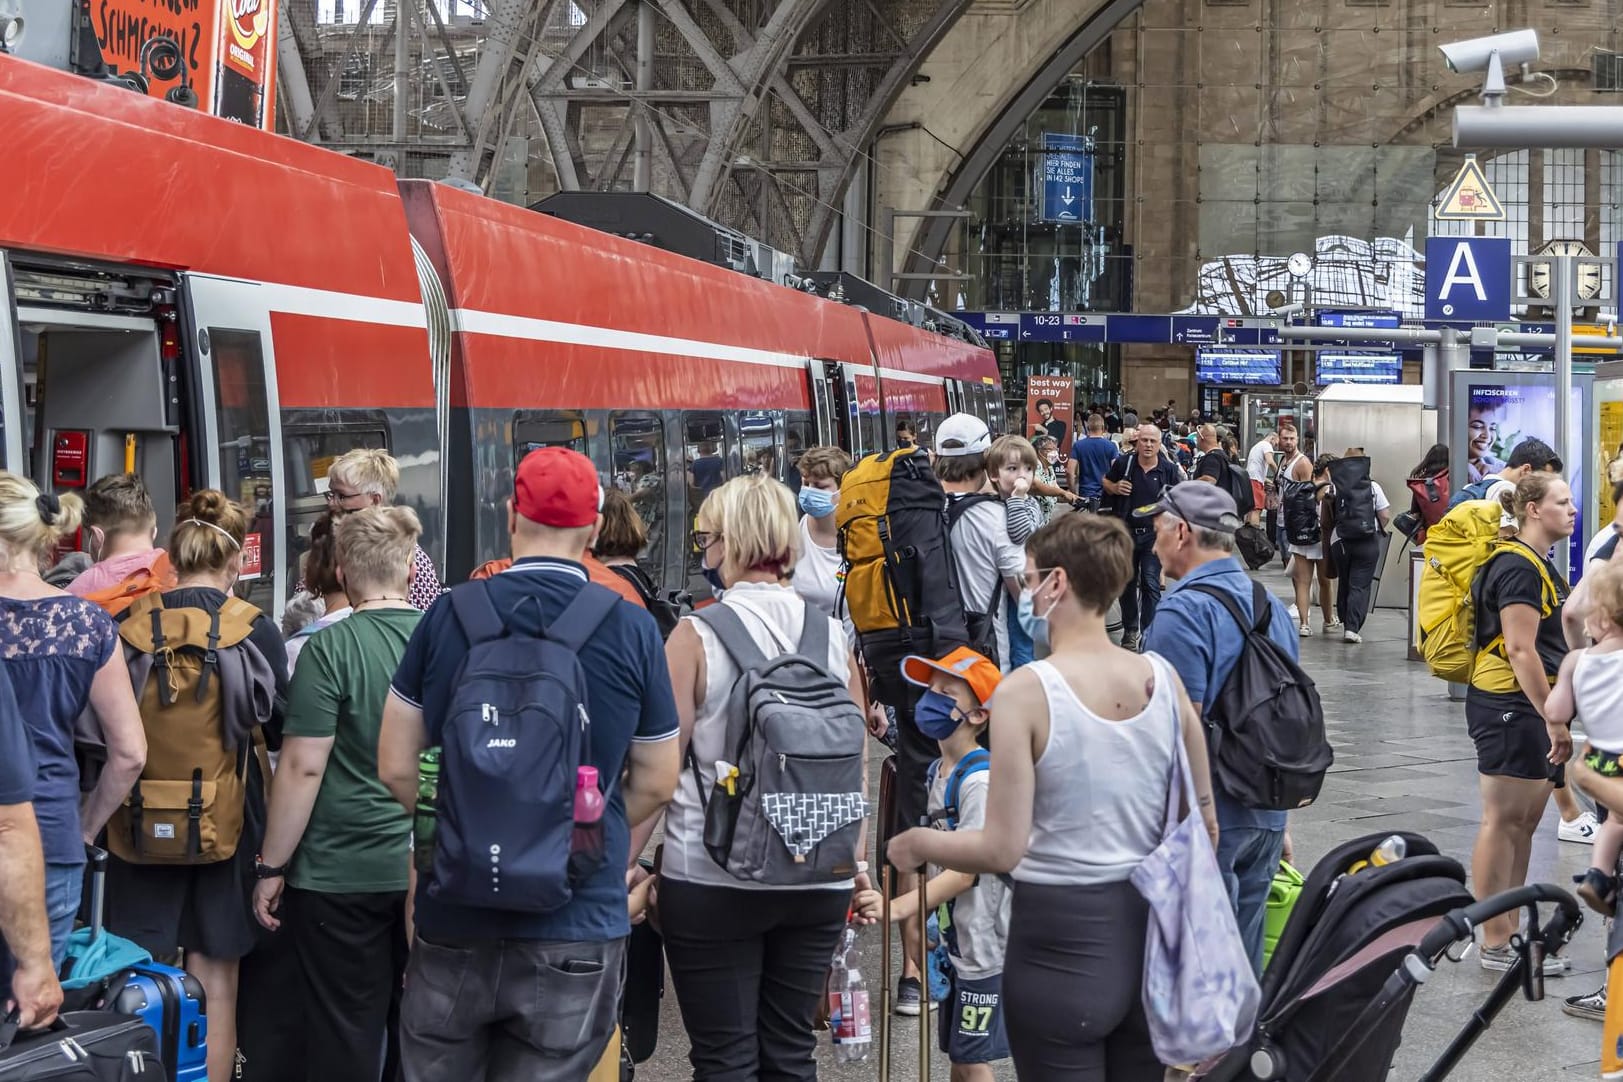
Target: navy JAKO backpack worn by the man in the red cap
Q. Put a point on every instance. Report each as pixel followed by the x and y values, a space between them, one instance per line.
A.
pixel 517 734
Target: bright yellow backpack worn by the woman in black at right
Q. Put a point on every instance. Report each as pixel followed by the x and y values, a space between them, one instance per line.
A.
pixel 1457 551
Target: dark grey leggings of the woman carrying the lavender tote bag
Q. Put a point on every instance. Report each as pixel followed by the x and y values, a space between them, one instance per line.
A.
pixel 1074 981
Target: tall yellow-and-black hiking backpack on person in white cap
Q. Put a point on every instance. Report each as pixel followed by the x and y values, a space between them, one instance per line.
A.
pixel 902 585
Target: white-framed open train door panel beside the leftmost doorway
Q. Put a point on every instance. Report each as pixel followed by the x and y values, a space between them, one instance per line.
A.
pixel 230 327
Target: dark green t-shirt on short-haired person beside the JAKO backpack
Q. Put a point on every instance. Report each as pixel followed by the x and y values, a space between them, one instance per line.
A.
pixel 358 841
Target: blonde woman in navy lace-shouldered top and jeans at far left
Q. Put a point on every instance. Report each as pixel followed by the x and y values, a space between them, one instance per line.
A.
pixel 62 656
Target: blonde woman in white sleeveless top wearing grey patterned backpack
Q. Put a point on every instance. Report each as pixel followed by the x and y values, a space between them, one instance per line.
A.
pixel 747 961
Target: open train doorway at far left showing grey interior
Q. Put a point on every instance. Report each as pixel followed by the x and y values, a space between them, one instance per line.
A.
pixel 90 363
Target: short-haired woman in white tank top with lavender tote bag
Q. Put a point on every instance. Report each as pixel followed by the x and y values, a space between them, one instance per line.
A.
pixel 1082 754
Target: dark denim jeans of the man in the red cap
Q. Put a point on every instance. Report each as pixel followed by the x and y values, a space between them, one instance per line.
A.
pixel 509 1010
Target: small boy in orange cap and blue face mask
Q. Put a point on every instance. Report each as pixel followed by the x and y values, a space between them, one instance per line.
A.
pixel 975 909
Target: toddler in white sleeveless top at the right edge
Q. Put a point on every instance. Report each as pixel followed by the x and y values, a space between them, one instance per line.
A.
pixel 1591 689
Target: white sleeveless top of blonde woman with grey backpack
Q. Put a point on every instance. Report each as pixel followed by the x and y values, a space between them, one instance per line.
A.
pixel 775 617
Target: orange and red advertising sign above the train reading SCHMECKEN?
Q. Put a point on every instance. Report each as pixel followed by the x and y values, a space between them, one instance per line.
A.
pixel 228 49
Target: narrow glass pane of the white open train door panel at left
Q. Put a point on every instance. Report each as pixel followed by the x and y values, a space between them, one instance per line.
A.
pixel 246 453
